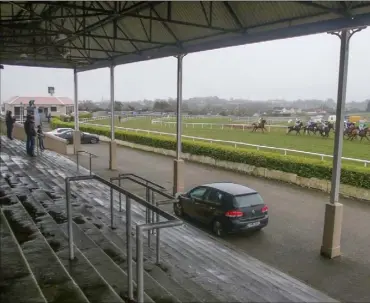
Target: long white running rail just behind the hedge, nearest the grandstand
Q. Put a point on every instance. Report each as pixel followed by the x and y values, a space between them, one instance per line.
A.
pixel 241 144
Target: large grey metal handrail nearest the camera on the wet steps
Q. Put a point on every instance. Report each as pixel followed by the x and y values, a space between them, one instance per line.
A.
pixel 172 222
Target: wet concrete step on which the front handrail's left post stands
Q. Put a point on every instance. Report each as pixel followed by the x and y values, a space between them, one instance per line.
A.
pixel 93 285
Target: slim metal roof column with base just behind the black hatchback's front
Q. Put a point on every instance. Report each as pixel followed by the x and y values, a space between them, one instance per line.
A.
pixel 178 167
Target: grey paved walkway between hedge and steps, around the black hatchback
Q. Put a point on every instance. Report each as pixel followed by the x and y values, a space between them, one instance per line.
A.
pixel 292 240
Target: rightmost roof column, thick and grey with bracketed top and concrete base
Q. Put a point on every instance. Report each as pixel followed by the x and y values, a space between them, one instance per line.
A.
pixel 334 211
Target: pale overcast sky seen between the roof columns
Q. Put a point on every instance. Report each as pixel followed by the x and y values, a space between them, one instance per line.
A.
pixel 305 67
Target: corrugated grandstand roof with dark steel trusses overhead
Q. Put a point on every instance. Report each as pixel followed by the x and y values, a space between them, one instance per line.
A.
pixel 94 34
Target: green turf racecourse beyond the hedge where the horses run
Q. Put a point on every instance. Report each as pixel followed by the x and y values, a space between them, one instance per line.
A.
pixel 276 138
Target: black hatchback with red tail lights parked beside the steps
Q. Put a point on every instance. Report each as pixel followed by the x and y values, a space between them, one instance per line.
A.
pixel 226 207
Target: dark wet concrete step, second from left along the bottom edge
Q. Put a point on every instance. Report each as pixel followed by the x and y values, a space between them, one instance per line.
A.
pixel 54 281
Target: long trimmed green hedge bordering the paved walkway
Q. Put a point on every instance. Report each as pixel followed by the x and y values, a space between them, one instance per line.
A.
pixel 308 168
